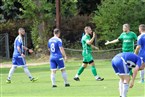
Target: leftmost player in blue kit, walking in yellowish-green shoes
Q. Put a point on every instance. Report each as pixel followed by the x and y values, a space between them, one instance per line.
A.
pixel 19 56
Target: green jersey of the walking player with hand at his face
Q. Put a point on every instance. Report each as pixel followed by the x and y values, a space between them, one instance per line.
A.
pixel 86 48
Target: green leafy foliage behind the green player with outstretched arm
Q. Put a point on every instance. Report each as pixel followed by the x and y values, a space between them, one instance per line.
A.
pixel 112 14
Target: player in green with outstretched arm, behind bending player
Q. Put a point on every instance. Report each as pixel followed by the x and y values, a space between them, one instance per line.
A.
pixel 127 38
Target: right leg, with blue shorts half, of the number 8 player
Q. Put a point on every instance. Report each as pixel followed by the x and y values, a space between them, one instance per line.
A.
pixel 61 66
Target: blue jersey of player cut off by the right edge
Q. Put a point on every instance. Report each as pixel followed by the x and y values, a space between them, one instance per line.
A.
pixel 141 42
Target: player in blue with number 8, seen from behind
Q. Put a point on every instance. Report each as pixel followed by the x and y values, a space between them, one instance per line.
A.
pixel 56 57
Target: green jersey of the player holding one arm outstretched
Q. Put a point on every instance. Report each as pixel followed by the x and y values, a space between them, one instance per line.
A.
pixel 128 41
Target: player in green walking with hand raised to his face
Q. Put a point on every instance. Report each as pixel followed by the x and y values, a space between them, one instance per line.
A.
pixel 86 53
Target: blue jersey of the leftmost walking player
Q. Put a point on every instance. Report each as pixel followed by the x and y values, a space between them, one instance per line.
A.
pixel 18 43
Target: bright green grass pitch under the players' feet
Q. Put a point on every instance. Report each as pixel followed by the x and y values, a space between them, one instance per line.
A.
pixel 87 87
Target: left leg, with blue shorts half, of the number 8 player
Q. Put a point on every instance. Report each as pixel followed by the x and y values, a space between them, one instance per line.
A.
pixel 53 67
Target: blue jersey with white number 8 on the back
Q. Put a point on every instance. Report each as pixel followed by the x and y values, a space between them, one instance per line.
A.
pixel 53 44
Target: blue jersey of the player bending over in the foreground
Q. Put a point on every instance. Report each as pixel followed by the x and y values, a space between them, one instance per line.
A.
pixel 128 56
